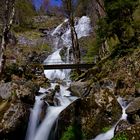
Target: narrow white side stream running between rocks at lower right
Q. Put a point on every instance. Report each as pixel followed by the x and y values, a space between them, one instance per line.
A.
pixel 110 134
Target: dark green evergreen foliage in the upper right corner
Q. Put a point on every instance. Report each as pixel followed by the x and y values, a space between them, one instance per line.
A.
pixel 118 24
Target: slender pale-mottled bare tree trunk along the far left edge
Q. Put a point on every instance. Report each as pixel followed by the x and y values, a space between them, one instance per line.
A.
pixel 8 20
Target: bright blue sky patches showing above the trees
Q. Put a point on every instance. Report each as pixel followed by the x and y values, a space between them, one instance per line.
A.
pixel 53 2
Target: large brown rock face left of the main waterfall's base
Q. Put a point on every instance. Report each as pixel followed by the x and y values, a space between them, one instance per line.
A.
pixel 17 97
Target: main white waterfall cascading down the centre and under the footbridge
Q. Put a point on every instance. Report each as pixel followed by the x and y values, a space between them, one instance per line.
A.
pixel 42 131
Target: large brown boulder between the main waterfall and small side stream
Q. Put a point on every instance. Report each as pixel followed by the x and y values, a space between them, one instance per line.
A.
pixel 94 112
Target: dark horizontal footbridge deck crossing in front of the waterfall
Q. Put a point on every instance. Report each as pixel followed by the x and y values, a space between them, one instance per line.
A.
pixel 68 66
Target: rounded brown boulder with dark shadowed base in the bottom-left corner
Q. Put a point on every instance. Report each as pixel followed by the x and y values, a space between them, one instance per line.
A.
pixel 14 121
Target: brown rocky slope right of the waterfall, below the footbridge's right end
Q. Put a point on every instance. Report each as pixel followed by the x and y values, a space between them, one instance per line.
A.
pixel 98 89
